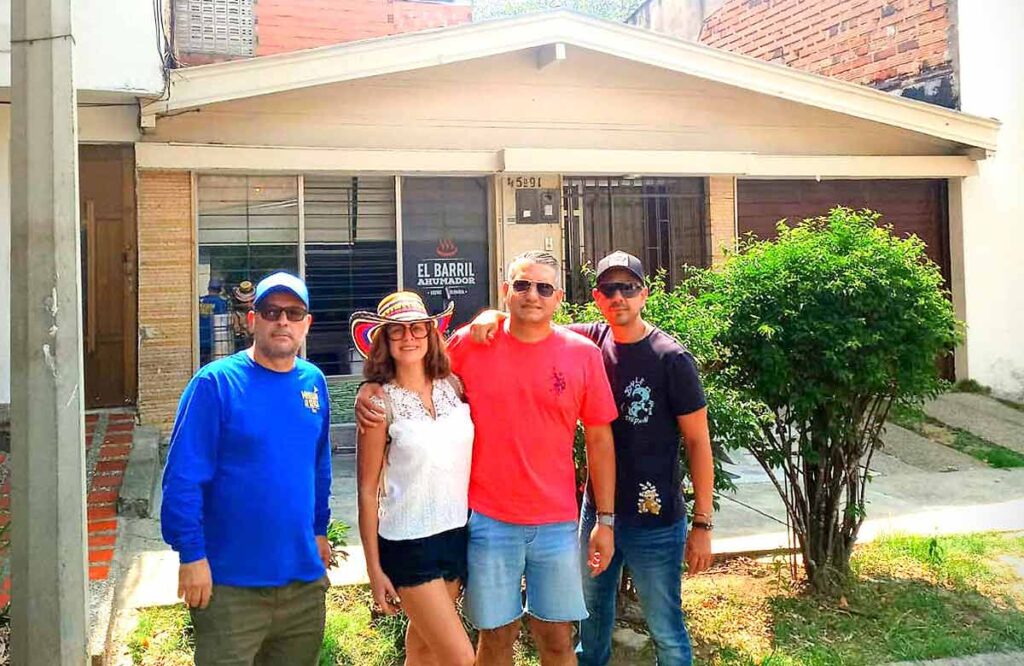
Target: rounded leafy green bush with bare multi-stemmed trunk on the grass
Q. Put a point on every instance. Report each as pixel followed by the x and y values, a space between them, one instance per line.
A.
pixel 828 327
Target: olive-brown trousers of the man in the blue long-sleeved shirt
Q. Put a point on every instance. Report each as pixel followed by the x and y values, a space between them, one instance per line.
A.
pixel 245 627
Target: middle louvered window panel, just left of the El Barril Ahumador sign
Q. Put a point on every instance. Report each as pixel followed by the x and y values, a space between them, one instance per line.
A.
pixel 351 260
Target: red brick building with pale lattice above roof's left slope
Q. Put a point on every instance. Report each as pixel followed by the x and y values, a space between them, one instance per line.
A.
pixel 209 31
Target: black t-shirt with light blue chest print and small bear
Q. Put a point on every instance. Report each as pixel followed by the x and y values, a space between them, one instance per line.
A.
pixel 655 381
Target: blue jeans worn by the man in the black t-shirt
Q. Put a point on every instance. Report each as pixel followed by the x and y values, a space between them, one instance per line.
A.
pixel 655 557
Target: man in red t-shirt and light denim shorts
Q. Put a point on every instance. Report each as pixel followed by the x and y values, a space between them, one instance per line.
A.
pixel 527 392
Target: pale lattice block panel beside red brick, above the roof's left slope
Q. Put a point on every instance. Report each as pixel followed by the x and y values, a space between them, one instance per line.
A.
pixel 215 27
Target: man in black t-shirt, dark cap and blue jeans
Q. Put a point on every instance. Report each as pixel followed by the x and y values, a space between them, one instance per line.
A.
pixel 660 398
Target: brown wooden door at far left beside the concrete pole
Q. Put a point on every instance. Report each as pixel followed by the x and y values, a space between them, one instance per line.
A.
pixel 107 192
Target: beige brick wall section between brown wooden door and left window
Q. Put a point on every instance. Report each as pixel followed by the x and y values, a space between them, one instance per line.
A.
pixel 166 320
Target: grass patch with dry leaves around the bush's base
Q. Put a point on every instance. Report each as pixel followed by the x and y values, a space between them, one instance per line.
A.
pixel 915 598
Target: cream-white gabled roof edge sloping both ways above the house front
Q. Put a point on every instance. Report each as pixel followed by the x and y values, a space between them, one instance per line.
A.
pixel 207 85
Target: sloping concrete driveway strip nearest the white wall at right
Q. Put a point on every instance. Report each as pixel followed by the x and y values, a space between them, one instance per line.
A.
pixel 983 417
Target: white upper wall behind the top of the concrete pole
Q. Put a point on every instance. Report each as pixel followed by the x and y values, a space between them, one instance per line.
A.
pixel 116 47
